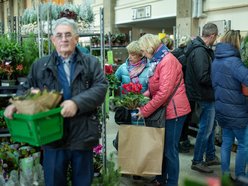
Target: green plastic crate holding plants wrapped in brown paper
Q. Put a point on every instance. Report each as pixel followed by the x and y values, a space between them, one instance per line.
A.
pixel 37 120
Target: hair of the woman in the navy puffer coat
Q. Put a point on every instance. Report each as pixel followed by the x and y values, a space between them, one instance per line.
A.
pixel 233 37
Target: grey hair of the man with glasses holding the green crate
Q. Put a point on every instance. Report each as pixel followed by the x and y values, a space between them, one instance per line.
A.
pixel 65 21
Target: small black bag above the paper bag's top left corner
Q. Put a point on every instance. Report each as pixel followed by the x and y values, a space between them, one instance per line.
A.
pixel 122 116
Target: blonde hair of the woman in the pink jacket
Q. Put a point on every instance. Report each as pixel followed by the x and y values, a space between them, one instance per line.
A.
pixel 149 43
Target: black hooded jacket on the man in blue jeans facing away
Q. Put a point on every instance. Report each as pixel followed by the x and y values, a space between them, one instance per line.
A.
pixel 198 73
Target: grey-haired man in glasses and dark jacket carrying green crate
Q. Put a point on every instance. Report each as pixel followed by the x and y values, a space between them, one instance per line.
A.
pixel 84 86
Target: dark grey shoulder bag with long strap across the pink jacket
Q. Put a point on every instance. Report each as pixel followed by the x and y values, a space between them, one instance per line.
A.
pixel 158 116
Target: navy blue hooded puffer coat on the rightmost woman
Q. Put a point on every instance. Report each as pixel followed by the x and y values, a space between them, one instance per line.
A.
pixel 228 73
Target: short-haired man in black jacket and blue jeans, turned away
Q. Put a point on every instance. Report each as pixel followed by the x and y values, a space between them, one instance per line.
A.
pixel 199 89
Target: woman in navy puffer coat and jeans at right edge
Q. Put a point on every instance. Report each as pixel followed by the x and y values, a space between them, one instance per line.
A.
pixel 228 73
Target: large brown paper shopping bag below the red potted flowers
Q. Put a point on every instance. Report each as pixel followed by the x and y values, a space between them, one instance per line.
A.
pixel 140 150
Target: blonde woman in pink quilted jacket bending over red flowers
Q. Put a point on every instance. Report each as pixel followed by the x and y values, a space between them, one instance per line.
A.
pixel 164 75
